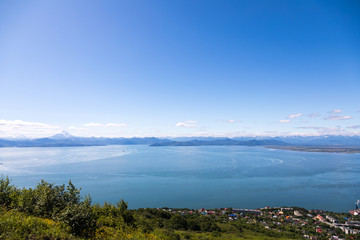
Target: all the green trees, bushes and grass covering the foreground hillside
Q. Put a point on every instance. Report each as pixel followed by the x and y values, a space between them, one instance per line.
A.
pixel 51 211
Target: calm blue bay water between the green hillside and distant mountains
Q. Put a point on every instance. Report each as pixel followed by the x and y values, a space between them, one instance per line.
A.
pixel 193 177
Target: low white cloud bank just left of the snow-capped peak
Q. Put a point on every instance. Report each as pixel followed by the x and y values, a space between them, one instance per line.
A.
pixel 15 128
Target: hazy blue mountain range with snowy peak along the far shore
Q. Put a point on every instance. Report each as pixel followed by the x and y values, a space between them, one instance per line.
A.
pixel 64 139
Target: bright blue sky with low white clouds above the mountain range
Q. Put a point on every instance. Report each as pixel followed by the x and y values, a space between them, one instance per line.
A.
pixel 179 68
